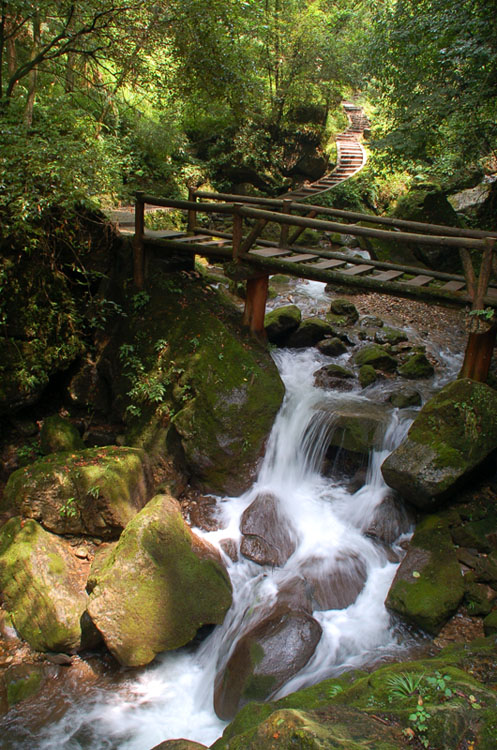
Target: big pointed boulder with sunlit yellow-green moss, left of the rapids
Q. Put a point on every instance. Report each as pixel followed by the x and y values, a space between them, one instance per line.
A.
pixel 158 586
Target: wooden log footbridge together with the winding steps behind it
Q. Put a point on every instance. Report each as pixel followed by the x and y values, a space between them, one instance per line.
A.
pixel 247 255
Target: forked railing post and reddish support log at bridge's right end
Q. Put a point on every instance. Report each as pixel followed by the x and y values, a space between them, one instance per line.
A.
pixel 481 343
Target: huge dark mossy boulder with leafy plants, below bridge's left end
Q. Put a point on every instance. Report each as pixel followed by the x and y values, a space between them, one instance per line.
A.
pixel 191 384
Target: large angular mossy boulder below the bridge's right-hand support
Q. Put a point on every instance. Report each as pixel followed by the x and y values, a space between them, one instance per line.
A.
pixel 451 435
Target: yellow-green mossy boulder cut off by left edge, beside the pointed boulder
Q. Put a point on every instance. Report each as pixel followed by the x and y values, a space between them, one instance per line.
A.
pixel 42 589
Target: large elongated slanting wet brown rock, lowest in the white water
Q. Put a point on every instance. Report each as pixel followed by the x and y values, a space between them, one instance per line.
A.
pixel 264 659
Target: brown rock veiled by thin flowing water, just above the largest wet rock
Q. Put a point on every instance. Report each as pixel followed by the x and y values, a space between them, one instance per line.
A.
pixel 335 584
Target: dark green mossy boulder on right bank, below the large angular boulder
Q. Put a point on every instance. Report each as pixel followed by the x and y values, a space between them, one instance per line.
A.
pixel 428 586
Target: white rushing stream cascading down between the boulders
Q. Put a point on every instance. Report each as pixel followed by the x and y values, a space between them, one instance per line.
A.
pixel 173 697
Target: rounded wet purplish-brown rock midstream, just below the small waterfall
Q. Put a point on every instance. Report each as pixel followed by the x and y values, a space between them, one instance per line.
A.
pixel 268 537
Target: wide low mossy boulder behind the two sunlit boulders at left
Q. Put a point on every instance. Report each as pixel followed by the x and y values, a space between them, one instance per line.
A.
pixel 96 491
